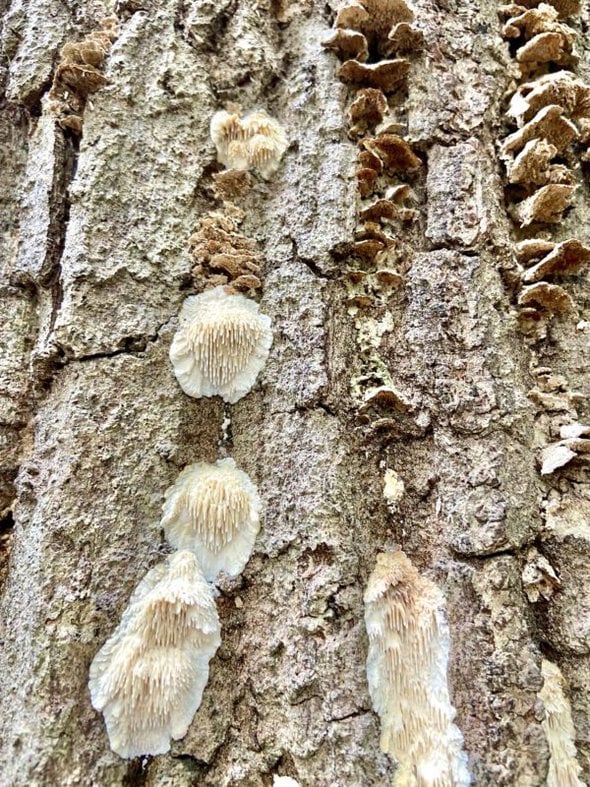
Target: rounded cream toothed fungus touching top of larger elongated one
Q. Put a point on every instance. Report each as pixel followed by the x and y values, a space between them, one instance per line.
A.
pixel 213 510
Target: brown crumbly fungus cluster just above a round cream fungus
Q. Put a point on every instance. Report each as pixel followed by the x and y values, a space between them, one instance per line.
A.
pixel 218 246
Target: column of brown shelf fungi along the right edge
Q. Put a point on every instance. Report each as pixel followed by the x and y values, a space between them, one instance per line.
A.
pixel 544 159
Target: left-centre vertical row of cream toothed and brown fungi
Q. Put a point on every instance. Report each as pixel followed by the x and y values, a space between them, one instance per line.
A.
pixel 148 678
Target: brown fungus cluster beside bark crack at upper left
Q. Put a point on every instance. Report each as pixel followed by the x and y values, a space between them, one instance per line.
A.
pixel 78 74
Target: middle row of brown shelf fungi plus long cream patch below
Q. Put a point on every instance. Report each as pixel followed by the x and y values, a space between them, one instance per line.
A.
pixel 404 612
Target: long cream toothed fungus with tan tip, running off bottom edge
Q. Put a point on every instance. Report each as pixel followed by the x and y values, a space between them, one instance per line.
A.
pixel 407 674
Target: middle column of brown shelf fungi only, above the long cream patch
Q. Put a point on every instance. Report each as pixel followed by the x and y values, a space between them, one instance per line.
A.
pixel 376 41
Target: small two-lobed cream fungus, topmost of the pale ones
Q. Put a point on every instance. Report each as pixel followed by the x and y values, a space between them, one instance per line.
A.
pixel 254 141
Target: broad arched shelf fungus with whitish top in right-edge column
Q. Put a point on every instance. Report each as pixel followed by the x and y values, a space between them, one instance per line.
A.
pixel 560 88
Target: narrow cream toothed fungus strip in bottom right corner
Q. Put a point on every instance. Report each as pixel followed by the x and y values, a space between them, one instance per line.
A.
pixel 558 726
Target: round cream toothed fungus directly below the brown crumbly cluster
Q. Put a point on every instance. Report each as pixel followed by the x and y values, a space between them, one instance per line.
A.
pixel 221 345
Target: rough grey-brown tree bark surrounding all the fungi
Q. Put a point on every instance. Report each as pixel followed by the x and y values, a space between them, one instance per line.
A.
pixel 95 264
